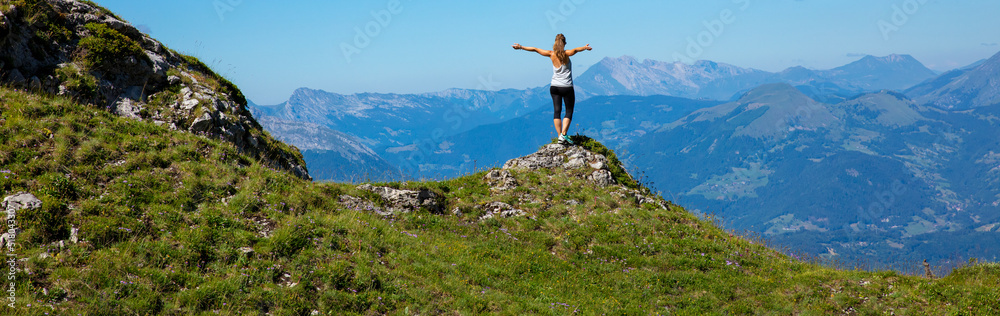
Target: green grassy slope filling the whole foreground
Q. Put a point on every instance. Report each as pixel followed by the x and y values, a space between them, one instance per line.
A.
pixel 174 223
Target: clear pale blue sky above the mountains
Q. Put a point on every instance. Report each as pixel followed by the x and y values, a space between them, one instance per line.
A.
pixel 270 48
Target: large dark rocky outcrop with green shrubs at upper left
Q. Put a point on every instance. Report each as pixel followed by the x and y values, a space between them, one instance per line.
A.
pixel 73 48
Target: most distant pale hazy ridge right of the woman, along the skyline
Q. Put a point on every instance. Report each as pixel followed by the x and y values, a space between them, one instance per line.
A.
pixel 719 81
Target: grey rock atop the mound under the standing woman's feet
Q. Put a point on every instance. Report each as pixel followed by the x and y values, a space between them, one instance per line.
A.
pixel 594 166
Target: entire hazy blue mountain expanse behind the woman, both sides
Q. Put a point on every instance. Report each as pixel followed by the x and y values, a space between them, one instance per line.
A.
pixel 779 154
